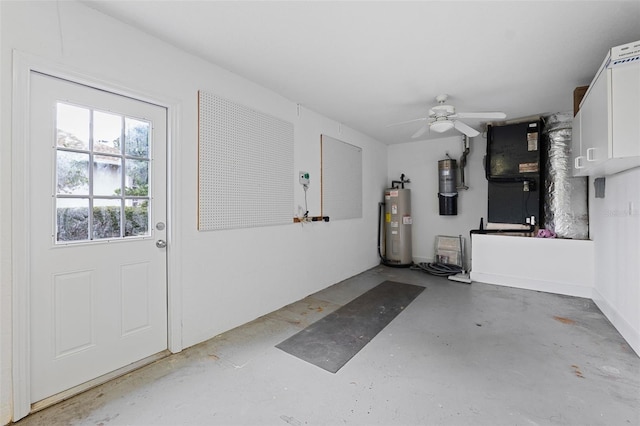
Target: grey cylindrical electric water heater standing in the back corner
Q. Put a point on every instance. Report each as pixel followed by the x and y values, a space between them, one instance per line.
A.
pixel 397 221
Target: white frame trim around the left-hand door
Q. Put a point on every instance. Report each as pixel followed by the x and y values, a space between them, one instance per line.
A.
pixel 23 65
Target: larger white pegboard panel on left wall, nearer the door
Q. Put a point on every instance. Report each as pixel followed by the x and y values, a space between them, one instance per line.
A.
pixel 245 166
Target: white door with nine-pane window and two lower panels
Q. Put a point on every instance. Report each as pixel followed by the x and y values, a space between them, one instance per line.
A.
pixel 97 188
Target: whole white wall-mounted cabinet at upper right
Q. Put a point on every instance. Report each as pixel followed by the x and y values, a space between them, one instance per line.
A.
pixel 606 130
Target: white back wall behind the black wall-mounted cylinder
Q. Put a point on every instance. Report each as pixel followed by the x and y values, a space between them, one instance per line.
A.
pixel 419 162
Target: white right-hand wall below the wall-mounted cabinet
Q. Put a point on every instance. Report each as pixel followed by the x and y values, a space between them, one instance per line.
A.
pixel 614 226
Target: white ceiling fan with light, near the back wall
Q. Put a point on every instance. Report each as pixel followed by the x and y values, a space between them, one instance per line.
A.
pixel 443 117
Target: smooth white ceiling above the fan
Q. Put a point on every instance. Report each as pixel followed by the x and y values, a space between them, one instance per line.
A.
pixel 371 63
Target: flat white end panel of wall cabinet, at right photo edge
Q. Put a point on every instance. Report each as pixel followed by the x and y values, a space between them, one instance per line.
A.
pixel 625 106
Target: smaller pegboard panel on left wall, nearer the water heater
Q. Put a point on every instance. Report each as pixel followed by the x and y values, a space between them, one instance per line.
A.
pixel 341 179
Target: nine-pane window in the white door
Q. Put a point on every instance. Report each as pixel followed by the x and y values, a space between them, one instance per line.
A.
pixel 102 175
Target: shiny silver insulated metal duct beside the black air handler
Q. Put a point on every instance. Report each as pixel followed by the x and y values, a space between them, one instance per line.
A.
pixel 565 198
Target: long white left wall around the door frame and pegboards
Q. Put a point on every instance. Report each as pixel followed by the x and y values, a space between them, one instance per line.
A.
pixel 223 278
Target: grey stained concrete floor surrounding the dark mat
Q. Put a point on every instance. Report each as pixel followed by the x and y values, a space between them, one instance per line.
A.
pixel 459 354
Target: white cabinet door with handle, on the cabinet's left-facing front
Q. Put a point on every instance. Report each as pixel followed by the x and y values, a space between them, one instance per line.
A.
pixel 595 122
